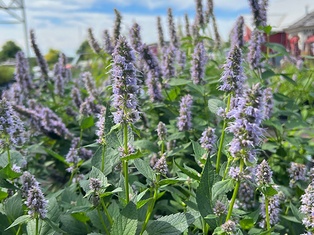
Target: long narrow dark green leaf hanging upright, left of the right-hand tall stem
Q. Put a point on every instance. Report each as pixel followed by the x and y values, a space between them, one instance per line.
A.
pixel 204 193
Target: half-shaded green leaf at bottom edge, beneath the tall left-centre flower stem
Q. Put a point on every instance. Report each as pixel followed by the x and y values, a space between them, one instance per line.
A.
pixel 126 222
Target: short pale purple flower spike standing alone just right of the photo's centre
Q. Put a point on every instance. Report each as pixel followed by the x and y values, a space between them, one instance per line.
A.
pixel 185 118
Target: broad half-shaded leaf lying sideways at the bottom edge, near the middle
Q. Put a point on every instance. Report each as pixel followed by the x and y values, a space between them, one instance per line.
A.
pixel 174 224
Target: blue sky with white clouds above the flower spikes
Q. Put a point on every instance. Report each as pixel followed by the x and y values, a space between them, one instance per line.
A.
pixel 62 24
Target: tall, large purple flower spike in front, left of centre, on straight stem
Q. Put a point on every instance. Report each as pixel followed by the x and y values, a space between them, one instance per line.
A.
pixel 125 86
